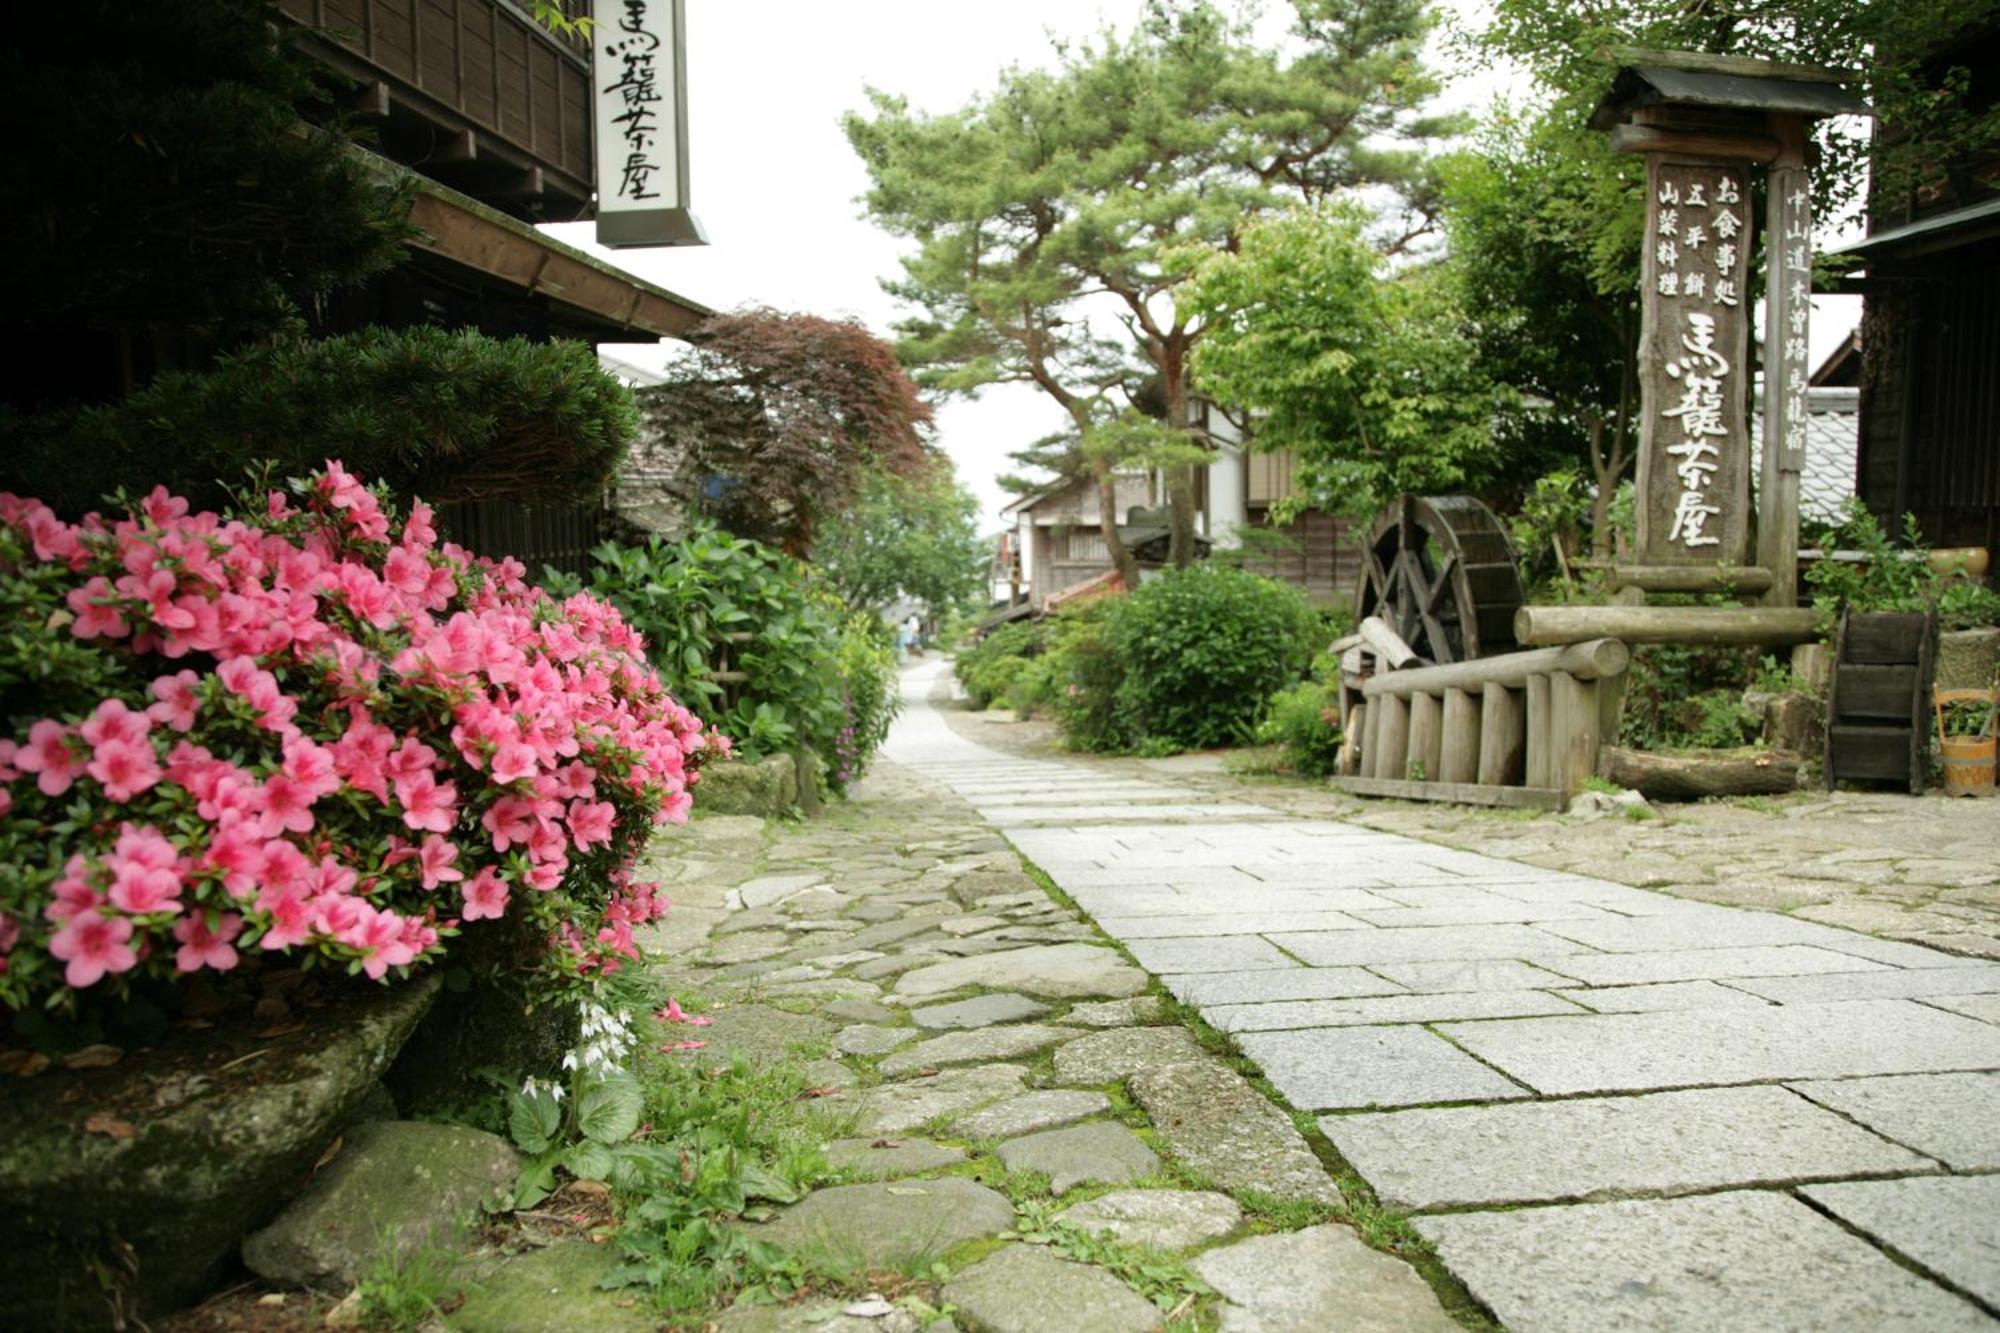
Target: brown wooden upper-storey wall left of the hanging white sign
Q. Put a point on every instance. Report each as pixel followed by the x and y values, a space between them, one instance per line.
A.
pixel 471 93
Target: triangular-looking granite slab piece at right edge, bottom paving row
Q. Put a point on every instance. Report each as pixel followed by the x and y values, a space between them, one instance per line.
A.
pixel 1945 1226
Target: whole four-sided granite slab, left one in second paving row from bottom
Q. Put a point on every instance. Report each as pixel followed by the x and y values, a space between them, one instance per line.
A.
pixel 1661 1144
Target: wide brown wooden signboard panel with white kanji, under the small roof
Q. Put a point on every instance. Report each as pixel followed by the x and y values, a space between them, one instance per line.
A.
pixel 1695 375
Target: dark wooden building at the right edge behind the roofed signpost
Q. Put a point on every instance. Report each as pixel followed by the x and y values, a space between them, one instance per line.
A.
pixel 1931 339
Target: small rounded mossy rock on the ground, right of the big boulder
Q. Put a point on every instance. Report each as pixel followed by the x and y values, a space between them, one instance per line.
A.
pixel 395 1188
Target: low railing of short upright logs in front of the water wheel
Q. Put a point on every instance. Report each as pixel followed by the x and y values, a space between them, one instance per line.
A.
pixel 1519 730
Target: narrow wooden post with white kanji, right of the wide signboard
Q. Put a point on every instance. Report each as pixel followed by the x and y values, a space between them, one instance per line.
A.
pixel 1787 367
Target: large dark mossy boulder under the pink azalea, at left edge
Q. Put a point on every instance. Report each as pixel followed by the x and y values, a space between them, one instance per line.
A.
pixel 129 1190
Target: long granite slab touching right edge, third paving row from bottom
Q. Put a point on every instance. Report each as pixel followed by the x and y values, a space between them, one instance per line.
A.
pixel 1633 1052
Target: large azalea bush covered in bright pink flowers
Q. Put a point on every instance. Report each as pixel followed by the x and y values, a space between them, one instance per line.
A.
pixel 313 734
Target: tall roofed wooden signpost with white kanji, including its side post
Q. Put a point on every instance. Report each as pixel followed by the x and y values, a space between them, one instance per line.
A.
pixel 1703 125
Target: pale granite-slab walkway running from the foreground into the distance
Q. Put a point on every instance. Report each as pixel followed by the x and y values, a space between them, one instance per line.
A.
pixel 1607 1108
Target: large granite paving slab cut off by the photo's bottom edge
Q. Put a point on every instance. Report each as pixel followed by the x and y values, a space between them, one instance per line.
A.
pixel 1743 1262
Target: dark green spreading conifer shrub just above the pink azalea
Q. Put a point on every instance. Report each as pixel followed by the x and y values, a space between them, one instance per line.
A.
pixel 425 411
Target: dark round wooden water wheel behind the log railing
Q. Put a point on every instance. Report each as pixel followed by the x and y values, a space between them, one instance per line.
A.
pixel 1441 573
